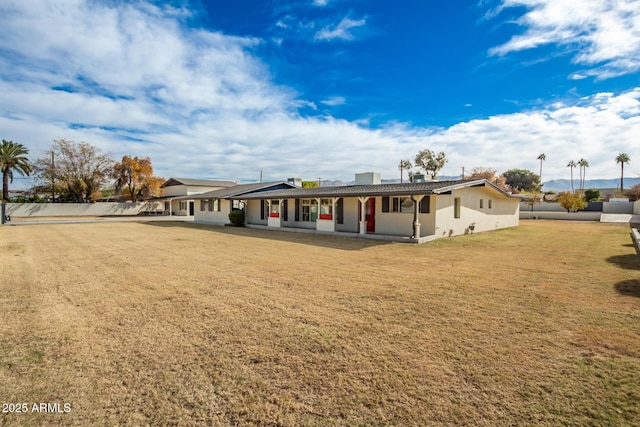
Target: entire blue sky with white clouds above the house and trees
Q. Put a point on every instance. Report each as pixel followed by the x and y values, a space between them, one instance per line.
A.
pixel 310 88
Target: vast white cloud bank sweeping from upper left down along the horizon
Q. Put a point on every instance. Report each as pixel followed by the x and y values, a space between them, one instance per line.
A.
pixel 134 80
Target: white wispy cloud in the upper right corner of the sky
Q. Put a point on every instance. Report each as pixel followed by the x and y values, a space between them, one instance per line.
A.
pixel 603 34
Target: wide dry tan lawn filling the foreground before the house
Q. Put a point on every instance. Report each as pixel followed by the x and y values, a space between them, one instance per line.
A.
pixel 180 324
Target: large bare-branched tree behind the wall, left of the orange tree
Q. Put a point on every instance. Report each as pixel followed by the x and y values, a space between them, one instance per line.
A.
pixel 75 171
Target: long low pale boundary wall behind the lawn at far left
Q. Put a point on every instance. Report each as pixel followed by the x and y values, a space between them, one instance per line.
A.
pixel 19 210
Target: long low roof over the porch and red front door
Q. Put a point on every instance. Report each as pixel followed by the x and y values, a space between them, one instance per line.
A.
pixel 405 189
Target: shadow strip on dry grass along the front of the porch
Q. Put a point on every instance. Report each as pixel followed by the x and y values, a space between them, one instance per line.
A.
pixel 322 240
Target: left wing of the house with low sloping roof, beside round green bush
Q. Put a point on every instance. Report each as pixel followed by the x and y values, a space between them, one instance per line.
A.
pixel 213 207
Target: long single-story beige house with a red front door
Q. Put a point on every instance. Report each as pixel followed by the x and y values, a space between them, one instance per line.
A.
pixel 414 212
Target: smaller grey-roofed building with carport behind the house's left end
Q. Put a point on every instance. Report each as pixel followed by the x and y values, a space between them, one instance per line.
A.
pixel 177 191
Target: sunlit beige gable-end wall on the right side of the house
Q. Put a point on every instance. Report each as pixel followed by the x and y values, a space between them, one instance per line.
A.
pixel 504 212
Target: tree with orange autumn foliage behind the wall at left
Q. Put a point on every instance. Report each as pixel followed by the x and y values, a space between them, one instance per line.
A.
pixel 134 177
